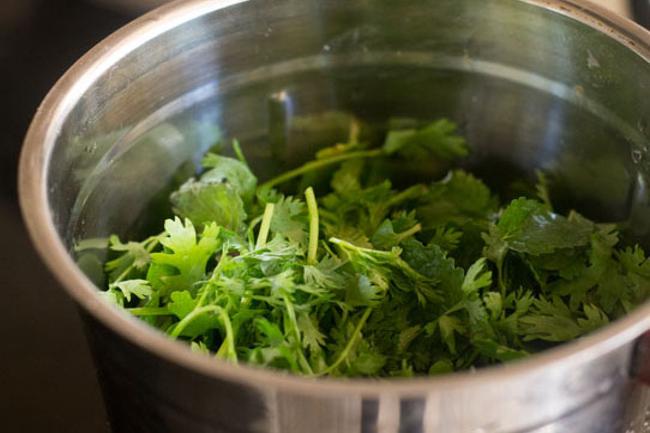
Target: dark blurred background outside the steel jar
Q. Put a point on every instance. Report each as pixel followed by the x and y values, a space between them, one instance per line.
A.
pixel 47 382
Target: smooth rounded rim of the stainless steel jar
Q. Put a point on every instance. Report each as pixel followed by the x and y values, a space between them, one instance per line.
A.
pixel 33 195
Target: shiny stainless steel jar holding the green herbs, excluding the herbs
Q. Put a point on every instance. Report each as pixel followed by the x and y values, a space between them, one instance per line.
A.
pixel 534 84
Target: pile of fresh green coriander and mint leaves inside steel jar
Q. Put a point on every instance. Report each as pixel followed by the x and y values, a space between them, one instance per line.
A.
pixel 363 279
